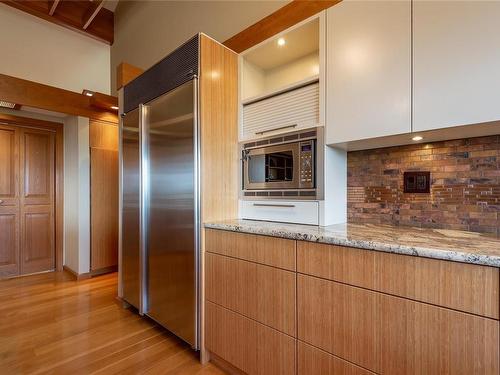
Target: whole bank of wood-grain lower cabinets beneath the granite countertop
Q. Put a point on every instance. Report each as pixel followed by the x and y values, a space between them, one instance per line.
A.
pixel 346 311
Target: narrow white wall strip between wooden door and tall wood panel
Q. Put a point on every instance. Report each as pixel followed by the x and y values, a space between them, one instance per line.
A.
pixel 76 194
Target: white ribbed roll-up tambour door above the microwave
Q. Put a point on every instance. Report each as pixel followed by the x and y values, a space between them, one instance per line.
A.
pixel 285 112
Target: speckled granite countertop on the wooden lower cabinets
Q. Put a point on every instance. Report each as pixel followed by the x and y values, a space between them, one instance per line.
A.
pixel 459 246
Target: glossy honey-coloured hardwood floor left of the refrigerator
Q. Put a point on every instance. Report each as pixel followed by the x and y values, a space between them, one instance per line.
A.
pixel 52 324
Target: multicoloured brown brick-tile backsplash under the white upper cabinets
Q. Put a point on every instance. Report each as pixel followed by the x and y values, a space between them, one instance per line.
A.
pixel 465 185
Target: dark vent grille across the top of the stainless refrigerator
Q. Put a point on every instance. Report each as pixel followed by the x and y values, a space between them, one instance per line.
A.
pixel 174 70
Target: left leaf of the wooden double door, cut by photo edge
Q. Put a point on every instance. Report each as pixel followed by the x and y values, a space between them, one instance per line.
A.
pixel 9 201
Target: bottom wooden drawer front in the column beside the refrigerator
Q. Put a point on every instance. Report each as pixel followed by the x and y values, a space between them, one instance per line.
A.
pixel 248 345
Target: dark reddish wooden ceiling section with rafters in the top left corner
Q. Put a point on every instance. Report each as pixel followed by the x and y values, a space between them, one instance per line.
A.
pixel 72 15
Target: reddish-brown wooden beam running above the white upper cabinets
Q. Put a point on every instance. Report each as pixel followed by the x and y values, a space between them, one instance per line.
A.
pixel 285 17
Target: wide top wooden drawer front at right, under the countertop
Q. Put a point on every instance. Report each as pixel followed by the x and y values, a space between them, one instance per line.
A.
pixel 466 287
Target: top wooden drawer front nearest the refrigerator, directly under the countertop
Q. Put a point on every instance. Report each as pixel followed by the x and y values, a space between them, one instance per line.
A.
pixel 277 252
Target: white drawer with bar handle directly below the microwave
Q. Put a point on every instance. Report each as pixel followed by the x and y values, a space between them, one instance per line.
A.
pixel 298 212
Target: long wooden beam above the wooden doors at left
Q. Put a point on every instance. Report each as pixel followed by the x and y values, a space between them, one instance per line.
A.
pixel 37 95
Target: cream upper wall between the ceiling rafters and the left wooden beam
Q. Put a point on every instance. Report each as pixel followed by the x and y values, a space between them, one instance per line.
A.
pixel 40 51
